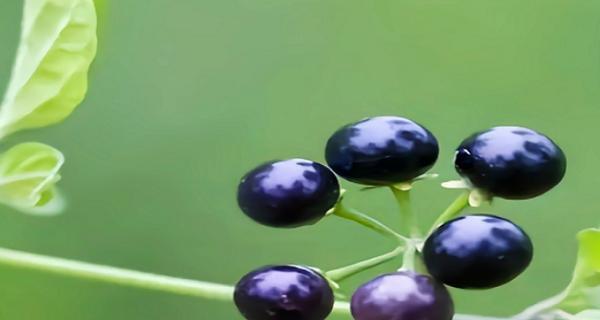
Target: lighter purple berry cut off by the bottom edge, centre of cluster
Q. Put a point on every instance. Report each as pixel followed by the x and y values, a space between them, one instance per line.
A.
pixel 402 295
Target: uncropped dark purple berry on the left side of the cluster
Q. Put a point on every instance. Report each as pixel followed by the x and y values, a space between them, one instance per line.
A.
pixel 288 193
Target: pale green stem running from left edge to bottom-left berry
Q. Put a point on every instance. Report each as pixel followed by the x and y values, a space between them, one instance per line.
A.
pixel 114 275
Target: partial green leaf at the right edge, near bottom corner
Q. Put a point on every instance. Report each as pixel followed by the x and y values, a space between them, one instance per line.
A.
pixel 583 292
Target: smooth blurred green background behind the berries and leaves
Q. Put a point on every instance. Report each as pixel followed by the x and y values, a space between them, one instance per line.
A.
pixel 187 95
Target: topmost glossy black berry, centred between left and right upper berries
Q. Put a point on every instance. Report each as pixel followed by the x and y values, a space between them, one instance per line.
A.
pixel 381 151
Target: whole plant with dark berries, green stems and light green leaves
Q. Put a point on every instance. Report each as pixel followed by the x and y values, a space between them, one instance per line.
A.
pixel 474 251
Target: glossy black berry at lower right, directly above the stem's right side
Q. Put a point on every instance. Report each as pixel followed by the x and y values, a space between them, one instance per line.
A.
pixel 477 252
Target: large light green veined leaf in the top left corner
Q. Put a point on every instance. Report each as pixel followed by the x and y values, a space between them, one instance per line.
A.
pixel 49 76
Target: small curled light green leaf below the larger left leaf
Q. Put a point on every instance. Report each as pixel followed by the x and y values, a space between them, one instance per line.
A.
pixel 28 172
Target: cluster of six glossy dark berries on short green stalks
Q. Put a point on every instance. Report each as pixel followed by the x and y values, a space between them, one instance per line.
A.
pixel 475 251
